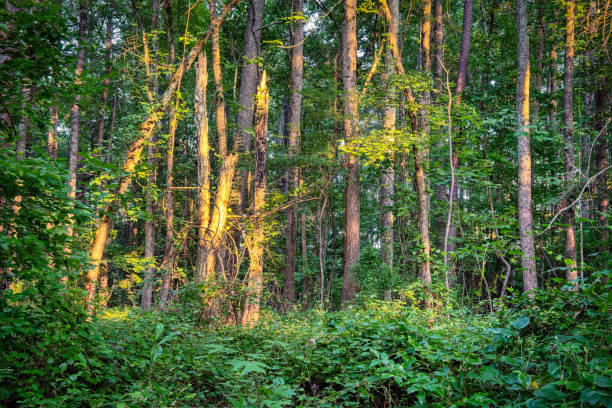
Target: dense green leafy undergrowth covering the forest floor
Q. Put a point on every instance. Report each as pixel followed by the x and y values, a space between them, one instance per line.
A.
pixel 550 351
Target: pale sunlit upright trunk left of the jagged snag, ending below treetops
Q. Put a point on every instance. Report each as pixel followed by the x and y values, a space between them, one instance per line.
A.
pixel 203 170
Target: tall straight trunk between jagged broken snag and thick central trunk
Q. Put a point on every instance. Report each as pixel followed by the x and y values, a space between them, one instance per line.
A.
pixel 293 125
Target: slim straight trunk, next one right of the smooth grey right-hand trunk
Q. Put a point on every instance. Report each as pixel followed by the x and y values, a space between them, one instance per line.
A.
pixel 568 139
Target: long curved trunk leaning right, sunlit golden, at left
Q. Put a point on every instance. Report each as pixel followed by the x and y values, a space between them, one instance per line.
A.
pixel 134 154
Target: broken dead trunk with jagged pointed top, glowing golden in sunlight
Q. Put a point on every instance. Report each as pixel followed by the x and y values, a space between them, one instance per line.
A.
pixel 255 280
